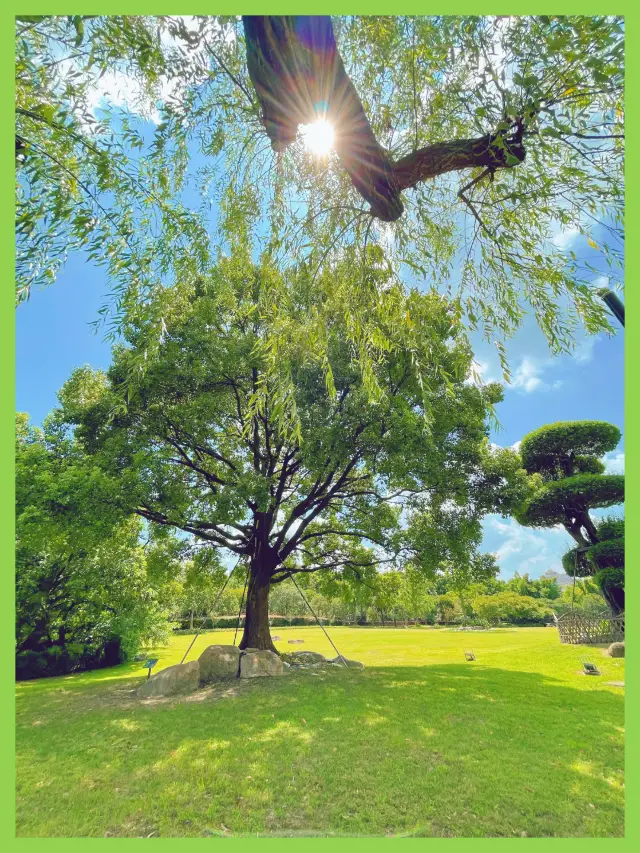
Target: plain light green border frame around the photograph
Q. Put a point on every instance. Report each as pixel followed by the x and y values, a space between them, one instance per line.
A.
pixel 631 10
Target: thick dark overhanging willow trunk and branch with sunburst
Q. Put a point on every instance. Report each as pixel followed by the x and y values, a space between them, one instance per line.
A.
pixel 299 76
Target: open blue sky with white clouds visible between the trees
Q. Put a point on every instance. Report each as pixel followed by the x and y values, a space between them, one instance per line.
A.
pixel 53 336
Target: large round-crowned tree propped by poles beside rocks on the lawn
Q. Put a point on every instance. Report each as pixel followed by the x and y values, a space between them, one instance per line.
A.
pixel 358 485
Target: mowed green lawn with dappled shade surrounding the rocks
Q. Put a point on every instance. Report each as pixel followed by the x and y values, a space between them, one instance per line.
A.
pixel 420 743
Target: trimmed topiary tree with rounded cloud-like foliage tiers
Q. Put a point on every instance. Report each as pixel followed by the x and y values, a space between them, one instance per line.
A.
pixel 565 459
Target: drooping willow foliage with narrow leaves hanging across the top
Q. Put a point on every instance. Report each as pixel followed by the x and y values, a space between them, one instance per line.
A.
pixel 499 131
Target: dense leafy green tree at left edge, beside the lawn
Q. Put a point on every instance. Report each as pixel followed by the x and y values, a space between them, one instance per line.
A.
pixel 88 591
